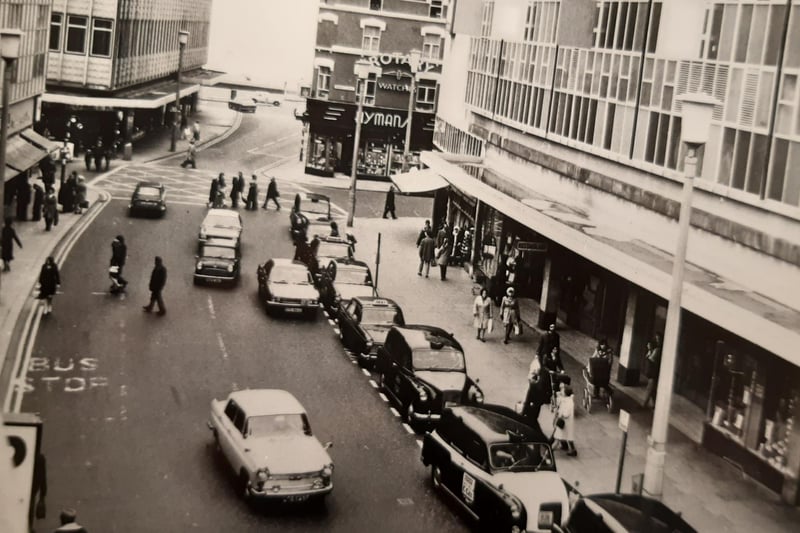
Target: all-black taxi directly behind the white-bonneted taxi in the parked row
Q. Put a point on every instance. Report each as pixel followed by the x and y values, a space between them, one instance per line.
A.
pixel 422 369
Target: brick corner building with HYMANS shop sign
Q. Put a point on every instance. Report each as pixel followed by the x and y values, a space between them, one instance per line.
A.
pixel 383 32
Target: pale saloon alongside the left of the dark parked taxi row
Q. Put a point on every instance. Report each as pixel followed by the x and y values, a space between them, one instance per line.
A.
pixel 286 285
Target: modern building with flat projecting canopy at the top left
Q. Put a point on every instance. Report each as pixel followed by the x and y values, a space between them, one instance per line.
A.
pixel 112 65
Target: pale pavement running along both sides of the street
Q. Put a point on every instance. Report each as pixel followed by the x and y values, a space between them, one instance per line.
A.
pixel 712 494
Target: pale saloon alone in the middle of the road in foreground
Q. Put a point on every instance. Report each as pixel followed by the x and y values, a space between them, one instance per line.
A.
pixel 266 438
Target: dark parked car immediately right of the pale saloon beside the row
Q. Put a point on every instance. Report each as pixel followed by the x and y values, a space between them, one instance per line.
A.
pixel 342 280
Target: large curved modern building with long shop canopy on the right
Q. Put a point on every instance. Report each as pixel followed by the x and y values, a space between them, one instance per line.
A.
pixel 559 140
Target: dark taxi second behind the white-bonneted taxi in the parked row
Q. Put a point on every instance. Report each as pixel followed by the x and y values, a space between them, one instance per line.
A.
pixel 364 322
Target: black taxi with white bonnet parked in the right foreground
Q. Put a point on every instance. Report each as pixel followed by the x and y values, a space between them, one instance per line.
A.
pixel 498 468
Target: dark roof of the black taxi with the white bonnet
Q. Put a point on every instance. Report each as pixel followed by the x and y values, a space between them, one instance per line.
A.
pixel 492 423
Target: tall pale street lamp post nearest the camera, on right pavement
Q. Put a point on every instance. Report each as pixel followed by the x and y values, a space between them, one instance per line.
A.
pixel 696 123
